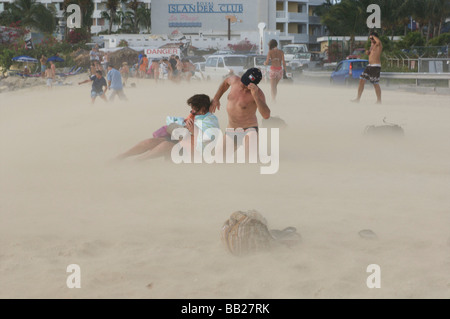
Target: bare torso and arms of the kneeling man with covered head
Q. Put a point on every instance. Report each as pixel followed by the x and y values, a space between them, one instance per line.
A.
pixel 243 101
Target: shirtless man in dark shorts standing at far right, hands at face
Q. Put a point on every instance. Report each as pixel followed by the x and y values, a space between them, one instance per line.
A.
pixel 372 71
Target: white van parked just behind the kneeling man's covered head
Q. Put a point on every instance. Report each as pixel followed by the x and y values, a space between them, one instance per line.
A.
pixel 217 67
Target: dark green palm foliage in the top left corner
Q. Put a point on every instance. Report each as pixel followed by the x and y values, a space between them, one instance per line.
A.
pixel 30 14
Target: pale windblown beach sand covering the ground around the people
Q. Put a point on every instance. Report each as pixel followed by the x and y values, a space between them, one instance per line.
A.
pixel 152 229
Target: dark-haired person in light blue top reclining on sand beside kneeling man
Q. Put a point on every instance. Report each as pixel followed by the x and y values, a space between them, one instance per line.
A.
pixel 199 119
